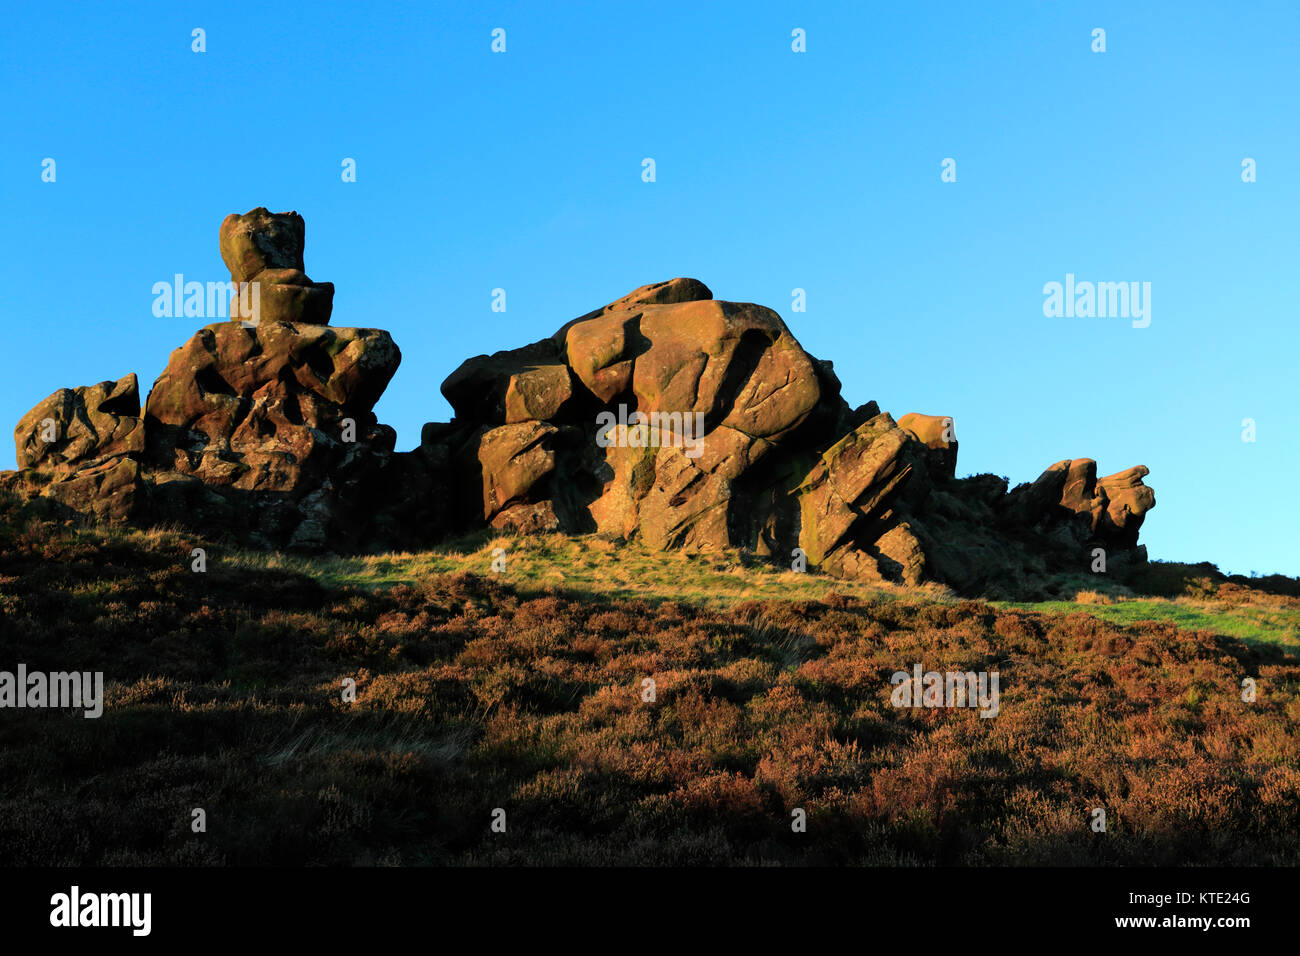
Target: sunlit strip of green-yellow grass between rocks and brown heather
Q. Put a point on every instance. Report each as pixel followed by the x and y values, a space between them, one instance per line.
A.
pixel 593 566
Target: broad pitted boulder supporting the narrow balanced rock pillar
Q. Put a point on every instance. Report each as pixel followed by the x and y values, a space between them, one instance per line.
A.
pixel 272 429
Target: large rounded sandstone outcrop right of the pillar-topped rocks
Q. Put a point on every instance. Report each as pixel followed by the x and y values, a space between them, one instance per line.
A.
pixel 782 462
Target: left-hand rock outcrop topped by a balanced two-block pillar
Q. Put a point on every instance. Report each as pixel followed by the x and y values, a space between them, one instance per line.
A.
pixel 261 427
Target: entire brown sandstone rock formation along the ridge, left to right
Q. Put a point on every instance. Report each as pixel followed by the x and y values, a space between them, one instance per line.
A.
pixel 668 417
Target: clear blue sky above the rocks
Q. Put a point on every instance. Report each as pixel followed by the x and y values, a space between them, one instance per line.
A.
pixel 774 171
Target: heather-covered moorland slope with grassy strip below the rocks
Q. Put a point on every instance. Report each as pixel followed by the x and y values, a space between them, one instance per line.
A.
pixel 522 691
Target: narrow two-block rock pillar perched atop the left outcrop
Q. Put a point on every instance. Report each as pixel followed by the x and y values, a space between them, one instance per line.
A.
pixel 267 249
